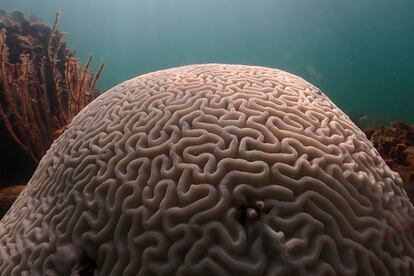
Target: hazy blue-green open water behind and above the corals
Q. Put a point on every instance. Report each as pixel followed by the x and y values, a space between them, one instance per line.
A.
pixel 359 52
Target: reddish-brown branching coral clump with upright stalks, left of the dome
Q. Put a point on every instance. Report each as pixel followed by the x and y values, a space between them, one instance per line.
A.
pixel 42 91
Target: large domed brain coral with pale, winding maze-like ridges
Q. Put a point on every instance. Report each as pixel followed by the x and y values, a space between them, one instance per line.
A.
pixel 211 169
